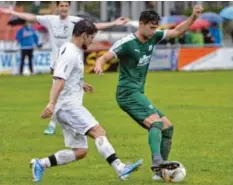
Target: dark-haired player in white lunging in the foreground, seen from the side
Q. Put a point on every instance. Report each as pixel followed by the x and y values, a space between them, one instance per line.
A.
pixel 65 105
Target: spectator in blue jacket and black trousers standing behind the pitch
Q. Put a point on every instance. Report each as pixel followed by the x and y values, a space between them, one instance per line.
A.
pixel 28 40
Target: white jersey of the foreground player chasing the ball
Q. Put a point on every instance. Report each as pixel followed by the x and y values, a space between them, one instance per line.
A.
pixel 70 67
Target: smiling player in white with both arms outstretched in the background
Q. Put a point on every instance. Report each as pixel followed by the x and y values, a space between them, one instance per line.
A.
pixel 60 29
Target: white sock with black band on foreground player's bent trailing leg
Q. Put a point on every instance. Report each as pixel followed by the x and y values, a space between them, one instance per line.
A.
pixel 62 157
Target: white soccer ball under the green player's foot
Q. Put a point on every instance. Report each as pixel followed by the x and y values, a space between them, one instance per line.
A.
pixel 176 175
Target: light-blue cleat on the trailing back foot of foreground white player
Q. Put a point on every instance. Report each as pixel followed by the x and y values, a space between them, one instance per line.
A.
pixel 37 170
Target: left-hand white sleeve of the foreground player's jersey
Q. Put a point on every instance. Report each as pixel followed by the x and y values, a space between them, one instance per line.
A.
pixel 64 65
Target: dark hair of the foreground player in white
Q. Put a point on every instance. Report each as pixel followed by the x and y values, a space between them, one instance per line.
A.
pixel 84 26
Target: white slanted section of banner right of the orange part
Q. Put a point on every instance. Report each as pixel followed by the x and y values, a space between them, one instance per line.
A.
pixel 220 59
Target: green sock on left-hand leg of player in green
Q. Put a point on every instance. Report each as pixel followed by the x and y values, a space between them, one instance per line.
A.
pixel 155 138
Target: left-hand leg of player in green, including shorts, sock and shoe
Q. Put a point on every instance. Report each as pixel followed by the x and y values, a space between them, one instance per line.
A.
pixel 141 109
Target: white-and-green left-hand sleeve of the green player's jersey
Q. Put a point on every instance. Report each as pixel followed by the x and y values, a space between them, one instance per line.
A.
pixel 119 49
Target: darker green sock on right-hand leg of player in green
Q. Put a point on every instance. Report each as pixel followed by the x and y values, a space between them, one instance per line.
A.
pixel 166 142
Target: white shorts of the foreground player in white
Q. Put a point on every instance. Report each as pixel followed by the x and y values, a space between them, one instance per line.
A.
pixel 75 123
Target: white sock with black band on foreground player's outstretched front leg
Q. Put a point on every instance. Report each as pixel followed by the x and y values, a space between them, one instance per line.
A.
pixel 106 150
